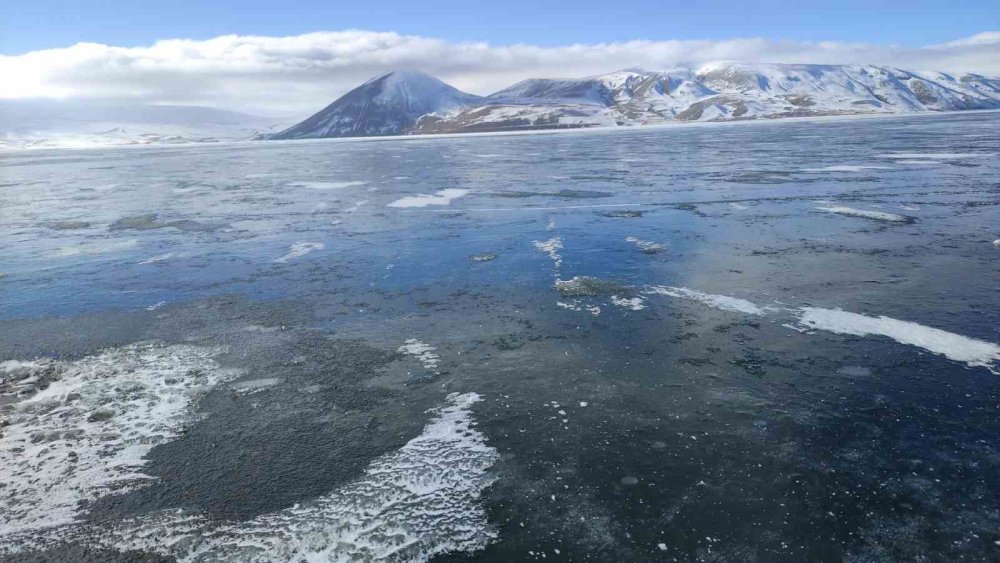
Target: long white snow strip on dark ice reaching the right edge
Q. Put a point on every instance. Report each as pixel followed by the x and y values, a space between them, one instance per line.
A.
pixel 956 347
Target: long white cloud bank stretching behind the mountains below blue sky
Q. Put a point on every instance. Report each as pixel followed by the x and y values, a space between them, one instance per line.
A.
pixel 299 74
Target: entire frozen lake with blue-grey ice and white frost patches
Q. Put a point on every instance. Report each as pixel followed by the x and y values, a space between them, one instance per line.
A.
pixel 772 341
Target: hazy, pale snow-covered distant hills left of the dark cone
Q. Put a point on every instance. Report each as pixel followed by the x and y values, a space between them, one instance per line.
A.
pixel 63 123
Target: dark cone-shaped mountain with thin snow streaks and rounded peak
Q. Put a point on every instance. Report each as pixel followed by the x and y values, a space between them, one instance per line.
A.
pixel 389 104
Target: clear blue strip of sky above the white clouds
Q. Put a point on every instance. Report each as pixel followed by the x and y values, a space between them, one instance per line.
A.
pixel 27 25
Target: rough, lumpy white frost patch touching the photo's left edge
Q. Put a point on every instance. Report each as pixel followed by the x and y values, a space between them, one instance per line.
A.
pixel 86 434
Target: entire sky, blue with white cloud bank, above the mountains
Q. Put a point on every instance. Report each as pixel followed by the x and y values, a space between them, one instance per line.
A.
pixel 291 57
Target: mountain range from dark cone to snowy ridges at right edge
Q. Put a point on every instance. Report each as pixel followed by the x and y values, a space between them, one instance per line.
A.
pixel 411 102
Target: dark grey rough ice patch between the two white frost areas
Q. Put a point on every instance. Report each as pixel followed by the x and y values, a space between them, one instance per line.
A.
pixel 248 455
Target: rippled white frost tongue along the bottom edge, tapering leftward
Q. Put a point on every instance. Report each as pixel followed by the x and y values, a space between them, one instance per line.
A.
pixel 411 505
